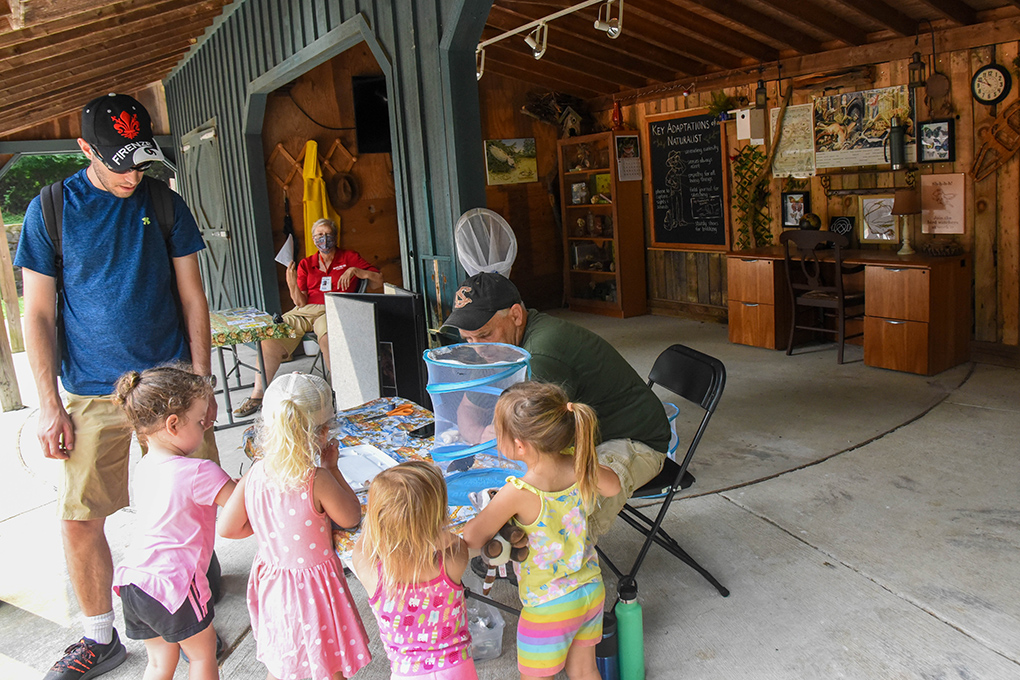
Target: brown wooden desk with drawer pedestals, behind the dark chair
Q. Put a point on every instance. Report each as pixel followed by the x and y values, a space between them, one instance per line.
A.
pixel 917 308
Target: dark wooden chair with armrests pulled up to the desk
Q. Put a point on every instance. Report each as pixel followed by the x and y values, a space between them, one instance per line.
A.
pixel 815 281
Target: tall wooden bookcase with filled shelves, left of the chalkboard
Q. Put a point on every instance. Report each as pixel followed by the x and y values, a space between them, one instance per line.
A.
pixel 603 229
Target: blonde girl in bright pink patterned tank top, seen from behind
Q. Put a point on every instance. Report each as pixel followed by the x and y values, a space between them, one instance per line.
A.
pixel 412 566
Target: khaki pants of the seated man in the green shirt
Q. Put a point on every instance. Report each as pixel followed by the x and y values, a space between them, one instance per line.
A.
pixel 636 464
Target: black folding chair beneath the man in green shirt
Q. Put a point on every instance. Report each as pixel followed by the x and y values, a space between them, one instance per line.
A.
pixel 699 379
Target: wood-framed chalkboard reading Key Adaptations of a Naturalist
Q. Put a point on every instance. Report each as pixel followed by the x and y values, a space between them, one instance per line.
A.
pixel 688 196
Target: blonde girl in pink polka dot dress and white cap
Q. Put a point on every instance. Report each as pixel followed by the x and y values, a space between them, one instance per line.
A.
pixel 303 618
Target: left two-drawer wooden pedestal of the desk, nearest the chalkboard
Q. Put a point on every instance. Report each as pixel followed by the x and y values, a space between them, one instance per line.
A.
pixel 759 307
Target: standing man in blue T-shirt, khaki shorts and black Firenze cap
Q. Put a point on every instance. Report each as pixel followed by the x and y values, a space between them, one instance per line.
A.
pixel 119 313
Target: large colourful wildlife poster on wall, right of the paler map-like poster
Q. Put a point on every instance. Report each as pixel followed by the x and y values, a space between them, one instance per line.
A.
pixel 853 129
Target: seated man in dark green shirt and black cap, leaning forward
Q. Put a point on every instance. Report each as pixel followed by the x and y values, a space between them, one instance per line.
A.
pixel 633 423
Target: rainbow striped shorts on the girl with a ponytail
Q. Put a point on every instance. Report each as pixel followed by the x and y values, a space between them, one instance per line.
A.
pixel 546 633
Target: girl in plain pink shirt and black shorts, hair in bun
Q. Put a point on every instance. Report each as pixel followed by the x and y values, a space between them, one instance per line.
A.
pixel 163 580
